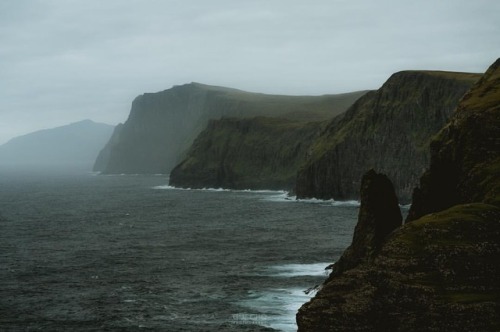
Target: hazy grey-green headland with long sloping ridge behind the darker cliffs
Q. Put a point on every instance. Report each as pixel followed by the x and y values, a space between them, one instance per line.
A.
pixel 162 126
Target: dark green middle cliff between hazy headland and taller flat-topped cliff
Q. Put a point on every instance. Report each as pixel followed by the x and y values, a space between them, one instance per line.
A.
pixel 256 153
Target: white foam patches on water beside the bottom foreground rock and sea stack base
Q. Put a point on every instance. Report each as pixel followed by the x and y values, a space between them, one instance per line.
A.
pixel 276 308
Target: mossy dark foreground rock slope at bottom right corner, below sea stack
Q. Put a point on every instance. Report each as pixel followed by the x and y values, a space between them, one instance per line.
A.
pixel 439 273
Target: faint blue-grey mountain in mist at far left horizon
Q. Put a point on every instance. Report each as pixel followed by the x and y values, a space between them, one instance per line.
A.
pixel 73 145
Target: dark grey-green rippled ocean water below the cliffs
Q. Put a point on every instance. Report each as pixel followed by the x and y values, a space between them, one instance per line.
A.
pixel 83 252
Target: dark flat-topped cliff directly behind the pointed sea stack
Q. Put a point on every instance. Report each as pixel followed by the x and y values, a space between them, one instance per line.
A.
pixel 388 130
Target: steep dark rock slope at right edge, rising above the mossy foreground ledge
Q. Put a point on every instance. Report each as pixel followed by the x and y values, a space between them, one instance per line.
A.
pixel 466 153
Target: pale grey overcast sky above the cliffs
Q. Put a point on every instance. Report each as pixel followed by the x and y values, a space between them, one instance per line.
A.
pixel 63 61
